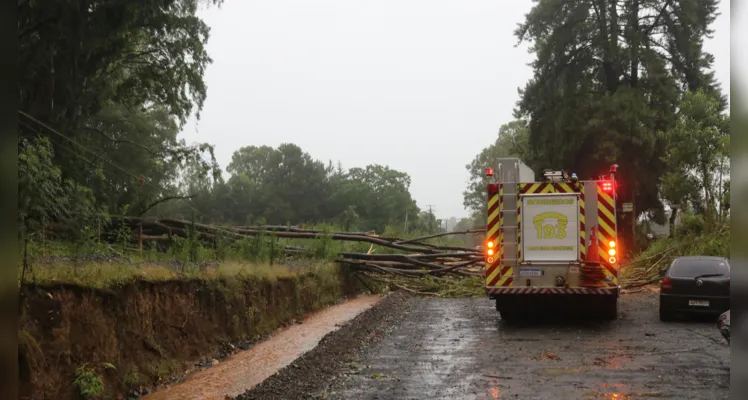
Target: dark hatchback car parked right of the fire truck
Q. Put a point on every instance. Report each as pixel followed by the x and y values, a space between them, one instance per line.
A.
pixel 695 285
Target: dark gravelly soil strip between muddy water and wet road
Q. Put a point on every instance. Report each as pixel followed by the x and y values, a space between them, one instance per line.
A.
pixel 311 374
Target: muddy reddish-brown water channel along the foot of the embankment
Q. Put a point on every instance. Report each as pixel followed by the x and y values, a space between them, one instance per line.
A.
pixel 246 369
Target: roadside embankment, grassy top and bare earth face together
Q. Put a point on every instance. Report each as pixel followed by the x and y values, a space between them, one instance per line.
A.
pixel 99 320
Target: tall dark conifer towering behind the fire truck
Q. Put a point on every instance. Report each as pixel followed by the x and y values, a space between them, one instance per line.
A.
pixel 607 78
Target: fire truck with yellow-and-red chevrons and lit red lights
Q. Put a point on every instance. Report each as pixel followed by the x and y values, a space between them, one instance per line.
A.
pixel 552 242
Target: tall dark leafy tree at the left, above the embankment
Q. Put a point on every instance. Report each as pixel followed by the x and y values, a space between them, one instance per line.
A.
pixel 110 83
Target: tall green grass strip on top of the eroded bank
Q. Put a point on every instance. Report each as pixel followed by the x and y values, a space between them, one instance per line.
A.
pixel 99 264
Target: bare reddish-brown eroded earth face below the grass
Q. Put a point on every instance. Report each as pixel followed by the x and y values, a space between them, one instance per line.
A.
pixel 121 342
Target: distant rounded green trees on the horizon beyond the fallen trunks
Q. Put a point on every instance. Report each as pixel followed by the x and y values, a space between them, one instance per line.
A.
pixel 283 185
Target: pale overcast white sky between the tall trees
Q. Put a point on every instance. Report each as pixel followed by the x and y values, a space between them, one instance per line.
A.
pixel 419 85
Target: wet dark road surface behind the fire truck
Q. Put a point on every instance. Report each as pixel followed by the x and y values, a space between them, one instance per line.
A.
pixel 460 349
